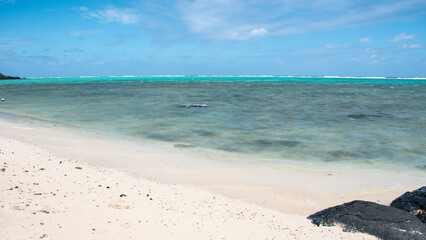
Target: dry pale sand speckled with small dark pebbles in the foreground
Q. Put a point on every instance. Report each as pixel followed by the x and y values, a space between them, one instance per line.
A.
pixel 43 196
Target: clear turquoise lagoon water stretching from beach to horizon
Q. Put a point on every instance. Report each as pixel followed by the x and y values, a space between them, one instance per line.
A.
pixel 303 119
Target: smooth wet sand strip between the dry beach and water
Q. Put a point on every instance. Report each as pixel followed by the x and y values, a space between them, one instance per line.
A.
pixel 289 188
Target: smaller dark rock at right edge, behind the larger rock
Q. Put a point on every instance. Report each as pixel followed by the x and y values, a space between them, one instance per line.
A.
pixel 413 202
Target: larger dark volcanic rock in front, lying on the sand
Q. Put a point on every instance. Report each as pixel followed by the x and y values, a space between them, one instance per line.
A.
pixel 372 218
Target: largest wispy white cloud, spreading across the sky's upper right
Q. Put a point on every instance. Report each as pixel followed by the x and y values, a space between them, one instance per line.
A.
pixel 239 19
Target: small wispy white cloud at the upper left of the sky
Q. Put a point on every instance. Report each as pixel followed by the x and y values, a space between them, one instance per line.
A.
pixel 112 14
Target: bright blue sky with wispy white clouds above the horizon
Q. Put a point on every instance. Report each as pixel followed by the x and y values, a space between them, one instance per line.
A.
pixel 222 37
